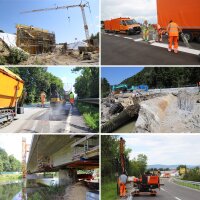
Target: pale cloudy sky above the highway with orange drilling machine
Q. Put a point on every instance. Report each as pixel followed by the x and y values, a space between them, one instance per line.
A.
pixel 166 148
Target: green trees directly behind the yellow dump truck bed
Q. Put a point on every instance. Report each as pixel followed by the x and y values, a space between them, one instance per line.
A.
pixel 37 79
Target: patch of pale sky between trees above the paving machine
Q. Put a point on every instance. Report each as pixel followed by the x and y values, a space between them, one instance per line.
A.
pixel 66 75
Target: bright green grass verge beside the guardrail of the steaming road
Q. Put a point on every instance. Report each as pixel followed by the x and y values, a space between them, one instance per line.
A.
pixel 90 114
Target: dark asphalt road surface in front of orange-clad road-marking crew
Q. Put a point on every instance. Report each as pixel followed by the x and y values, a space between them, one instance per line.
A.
pixel 124 50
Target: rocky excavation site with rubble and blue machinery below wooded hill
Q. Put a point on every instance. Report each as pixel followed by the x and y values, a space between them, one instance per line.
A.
pixel 140 109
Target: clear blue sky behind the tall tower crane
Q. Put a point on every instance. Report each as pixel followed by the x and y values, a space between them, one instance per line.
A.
pixel 66 29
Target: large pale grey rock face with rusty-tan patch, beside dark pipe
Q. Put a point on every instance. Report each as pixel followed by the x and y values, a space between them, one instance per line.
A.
pixel 168 114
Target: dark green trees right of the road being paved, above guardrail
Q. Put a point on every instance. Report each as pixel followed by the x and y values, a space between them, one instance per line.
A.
pixel 87 84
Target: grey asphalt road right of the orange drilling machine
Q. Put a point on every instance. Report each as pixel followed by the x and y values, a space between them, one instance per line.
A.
pixel 171 191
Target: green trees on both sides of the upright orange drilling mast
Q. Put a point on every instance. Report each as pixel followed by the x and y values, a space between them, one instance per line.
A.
pixel 110 159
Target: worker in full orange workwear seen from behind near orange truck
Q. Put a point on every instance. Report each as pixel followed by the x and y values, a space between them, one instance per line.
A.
pixel 173 35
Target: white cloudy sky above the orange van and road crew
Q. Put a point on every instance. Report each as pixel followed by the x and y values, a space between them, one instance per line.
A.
pixel 137 9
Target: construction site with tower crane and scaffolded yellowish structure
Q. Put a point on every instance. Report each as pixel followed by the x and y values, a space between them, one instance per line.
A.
pixel 33 45
